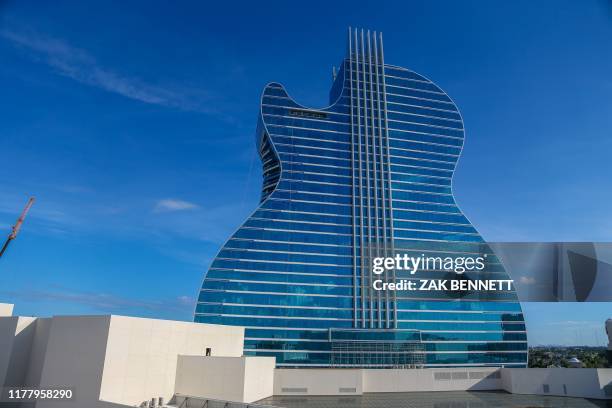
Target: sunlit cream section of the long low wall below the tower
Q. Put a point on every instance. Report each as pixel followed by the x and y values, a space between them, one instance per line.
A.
pixel 358 381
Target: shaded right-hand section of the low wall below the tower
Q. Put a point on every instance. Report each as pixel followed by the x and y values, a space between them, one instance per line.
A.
pixel 572 382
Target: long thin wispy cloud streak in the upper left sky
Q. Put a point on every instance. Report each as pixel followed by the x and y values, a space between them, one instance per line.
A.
pixel 79 65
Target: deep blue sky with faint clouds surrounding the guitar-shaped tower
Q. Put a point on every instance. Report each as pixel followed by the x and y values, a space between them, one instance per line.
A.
pixel 132 124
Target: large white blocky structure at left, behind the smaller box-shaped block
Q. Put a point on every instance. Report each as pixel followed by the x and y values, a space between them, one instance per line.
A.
pixel 106 360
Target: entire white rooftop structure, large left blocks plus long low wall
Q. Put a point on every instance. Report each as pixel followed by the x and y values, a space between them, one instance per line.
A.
pixel 116 361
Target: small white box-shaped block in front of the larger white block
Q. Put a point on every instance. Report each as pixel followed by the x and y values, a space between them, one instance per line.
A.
pixel 237 379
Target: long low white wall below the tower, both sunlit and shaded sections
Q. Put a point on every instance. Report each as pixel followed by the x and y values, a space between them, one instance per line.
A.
pixel 572 382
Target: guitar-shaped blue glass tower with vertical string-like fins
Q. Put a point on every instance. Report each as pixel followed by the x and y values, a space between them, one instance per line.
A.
pixel 370 175
